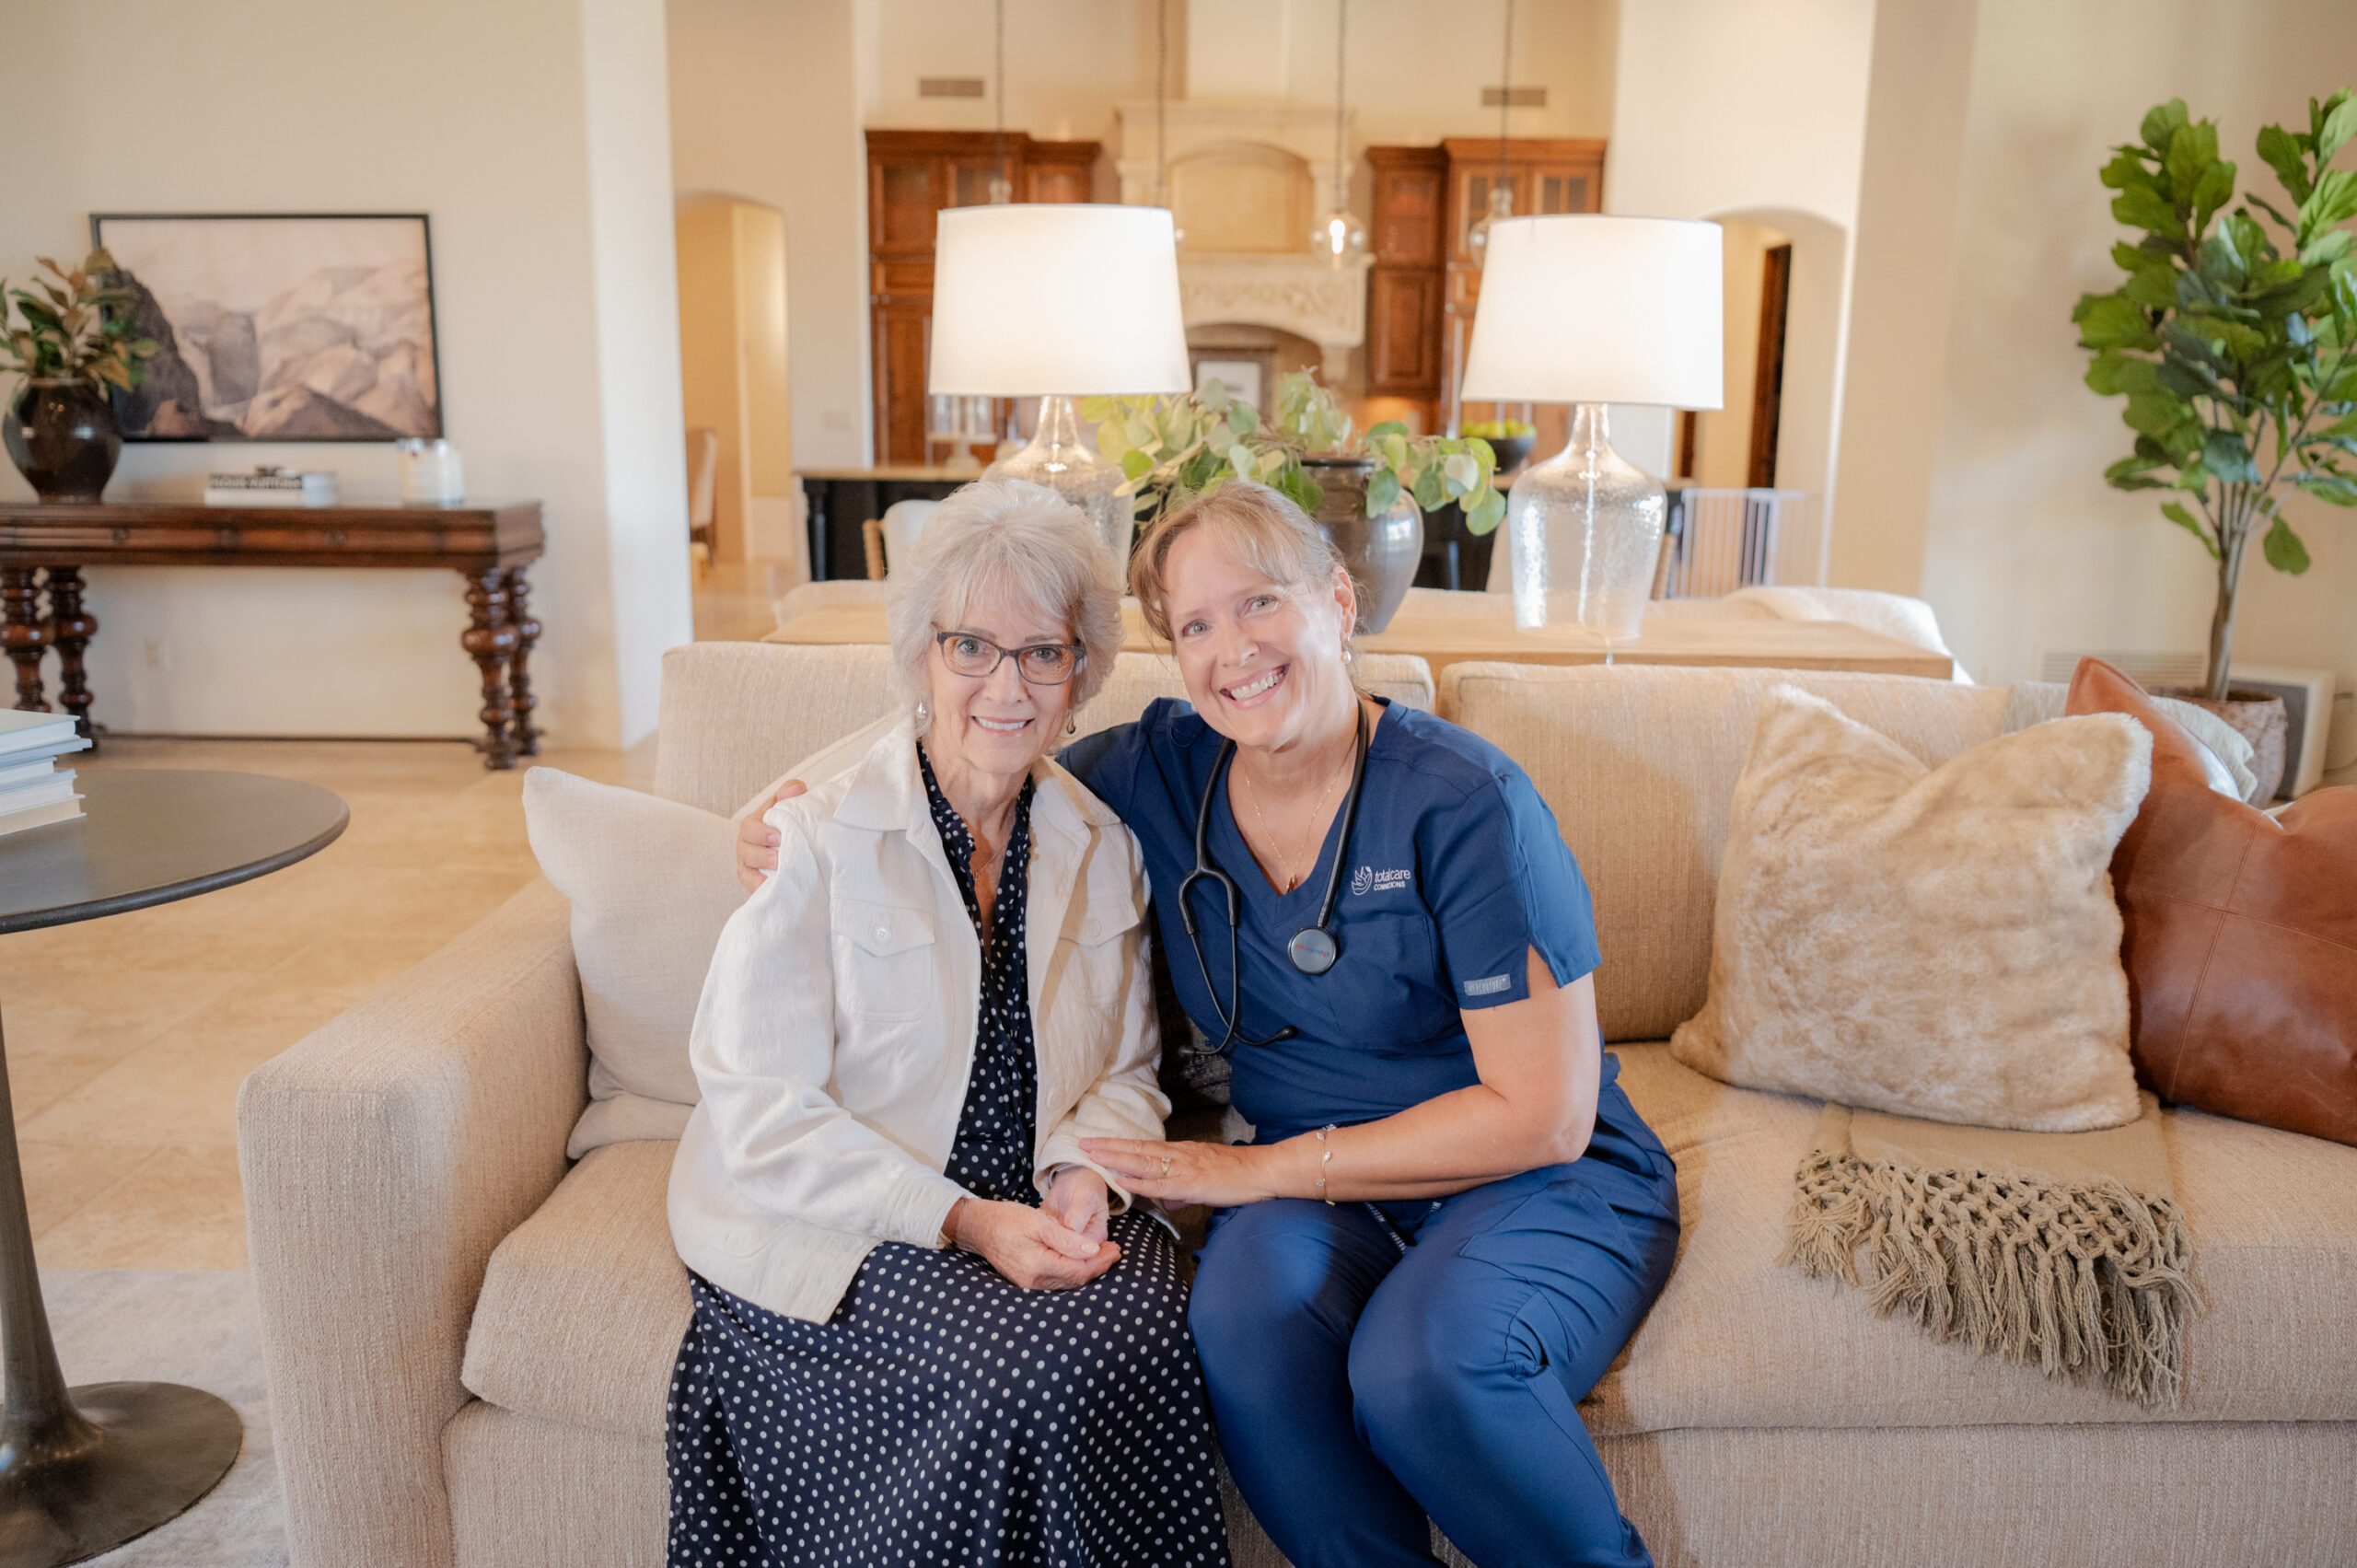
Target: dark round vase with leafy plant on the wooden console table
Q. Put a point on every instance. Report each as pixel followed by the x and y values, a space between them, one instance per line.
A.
pixel 72 348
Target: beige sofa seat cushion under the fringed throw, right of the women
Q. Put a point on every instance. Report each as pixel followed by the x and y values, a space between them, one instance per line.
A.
pixel 1741 1343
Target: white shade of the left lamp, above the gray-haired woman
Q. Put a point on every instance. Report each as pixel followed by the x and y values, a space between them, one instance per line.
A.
pixel 1057 301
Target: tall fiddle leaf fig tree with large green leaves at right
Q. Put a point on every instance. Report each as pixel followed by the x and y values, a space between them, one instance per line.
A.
pixel 2233 338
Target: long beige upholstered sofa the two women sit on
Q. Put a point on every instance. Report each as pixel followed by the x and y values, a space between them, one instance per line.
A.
pixel 470 1343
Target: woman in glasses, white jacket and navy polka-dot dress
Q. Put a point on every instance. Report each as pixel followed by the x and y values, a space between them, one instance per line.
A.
pixel 918 1333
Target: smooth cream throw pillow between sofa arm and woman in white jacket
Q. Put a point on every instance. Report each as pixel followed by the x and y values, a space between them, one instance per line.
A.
pixel 652 888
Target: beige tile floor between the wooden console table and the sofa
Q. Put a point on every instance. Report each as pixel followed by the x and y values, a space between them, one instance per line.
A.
pixel 128 1036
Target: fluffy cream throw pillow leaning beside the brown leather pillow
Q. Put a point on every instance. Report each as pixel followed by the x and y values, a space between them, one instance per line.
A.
pixel 1934 944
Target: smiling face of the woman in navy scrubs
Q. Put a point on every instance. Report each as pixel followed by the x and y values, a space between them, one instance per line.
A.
pixel 1262 661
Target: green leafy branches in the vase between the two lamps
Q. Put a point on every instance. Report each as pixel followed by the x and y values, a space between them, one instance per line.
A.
pixel 1177 449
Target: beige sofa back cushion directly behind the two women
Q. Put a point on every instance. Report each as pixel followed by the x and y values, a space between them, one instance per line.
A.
pixel 741 713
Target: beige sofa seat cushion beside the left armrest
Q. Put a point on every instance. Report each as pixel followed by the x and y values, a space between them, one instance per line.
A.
pixel 586 1303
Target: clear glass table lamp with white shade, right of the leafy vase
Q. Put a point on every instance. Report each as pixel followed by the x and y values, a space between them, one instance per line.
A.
pixel 1595 310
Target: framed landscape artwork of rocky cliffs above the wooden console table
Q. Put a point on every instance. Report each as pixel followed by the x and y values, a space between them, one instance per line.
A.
pixel 279 329
